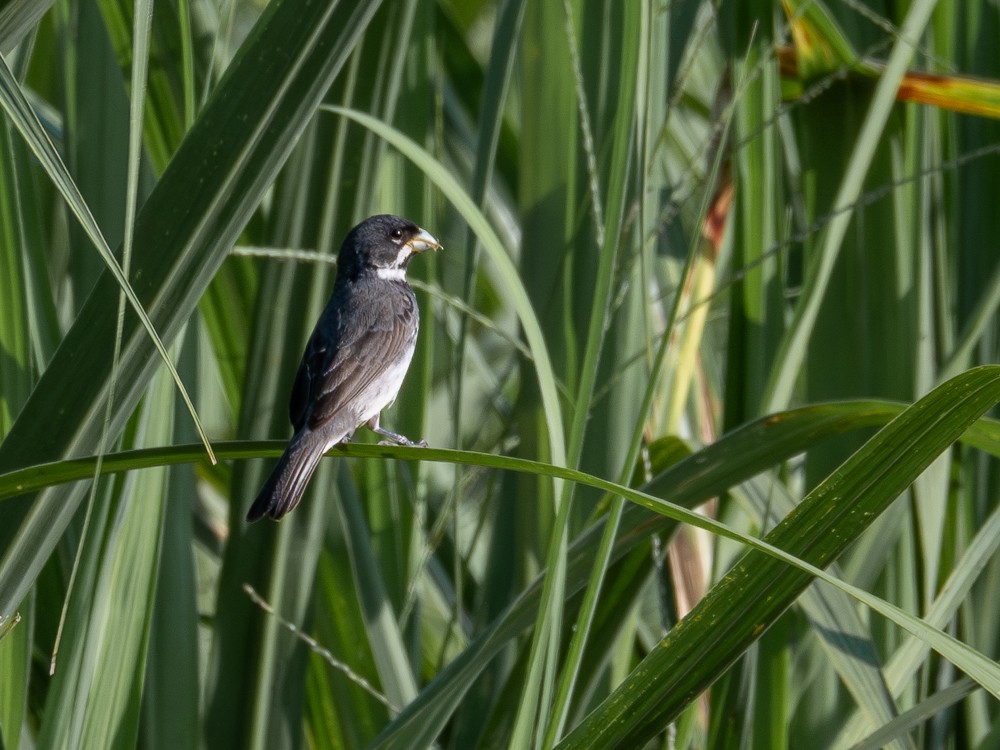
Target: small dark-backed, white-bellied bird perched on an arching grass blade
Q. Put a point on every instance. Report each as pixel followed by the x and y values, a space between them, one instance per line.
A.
pixel 356 357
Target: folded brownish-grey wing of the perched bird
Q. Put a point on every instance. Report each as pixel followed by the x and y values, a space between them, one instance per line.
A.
pixel 342 360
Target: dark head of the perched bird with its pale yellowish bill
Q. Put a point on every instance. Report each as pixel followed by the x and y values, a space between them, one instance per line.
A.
pixel 384 244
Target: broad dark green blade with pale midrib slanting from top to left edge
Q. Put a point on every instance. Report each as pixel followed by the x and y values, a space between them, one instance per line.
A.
pixel 188 224
